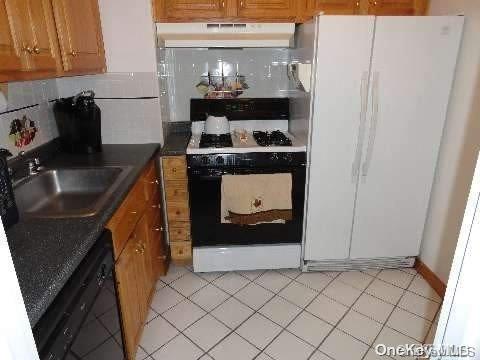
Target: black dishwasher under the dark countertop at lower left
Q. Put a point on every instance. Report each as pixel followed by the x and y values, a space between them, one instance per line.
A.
pixel 83 322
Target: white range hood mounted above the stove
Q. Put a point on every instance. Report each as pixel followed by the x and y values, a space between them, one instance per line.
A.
pixel 223 35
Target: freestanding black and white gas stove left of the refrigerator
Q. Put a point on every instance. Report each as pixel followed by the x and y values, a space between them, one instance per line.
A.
pixel 259 144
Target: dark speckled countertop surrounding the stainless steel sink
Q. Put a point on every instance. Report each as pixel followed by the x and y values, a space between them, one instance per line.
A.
pixel 46 252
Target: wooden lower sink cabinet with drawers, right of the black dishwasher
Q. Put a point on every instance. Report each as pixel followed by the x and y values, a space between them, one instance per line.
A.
pixel 140 252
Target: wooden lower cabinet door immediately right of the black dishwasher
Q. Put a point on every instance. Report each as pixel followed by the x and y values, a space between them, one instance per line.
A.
pixel 127 274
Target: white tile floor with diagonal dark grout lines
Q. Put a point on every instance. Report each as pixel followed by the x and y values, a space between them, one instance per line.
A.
pixel 286 314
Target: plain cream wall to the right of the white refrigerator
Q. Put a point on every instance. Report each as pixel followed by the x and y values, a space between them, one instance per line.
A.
pixel 459 146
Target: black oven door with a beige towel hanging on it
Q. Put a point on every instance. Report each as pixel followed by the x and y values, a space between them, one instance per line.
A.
pixel 205 209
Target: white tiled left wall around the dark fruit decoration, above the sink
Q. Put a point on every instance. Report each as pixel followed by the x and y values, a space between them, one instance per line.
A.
pixel 32 100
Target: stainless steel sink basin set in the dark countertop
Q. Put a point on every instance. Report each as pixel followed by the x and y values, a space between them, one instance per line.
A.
pixel 68 192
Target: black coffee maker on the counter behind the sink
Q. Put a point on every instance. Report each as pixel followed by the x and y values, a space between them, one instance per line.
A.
pixel 79 123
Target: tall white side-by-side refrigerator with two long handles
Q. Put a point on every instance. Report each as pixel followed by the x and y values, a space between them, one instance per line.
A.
pixel 380 92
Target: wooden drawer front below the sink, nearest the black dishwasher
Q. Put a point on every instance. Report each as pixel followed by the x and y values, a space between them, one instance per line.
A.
pixel 123 222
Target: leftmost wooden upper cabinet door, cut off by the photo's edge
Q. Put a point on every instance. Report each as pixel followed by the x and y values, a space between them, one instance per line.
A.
pixel 10 56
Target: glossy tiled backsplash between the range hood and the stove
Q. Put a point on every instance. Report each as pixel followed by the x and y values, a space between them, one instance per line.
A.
pixel 265 72
